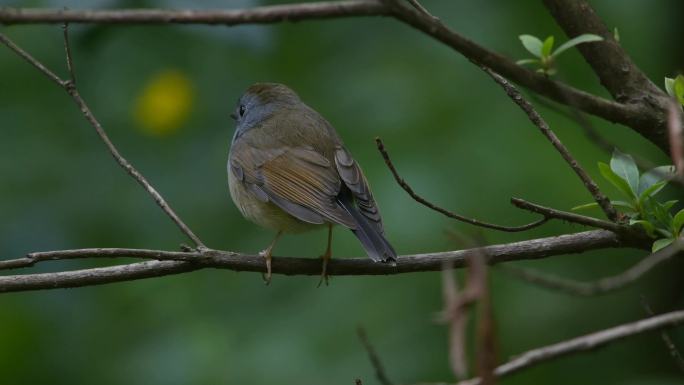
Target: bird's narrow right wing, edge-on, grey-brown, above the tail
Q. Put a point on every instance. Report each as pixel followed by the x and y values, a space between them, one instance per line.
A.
pixel 353 178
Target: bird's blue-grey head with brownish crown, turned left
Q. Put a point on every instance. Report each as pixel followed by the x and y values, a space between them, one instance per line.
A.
pixel 259 102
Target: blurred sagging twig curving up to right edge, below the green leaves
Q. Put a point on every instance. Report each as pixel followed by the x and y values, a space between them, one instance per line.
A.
pixel 603 285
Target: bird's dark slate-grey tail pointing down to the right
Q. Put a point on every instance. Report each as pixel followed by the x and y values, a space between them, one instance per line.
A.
pixel 370 235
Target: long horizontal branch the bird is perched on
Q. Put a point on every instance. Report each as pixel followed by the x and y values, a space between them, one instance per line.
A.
pixel 179 262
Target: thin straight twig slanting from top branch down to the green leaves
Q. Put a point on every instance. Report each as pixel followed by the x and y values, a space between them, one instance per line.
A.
pixel 538 121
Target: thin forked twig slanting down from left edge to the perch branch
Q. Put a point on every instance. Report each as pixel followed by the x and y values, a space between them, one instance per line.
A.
pixel 70 87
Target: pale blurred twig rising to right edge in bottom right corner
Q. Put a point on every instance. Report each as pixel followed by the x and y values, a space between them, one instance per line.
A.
pixel 585 343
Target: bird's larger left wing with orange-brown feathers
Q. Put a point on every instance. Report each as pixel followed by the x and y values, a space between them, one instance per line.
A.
pixel 299 180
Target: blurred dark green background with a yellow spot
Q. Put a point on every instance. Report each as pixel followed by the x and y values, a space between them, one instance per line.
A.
pixel 164 94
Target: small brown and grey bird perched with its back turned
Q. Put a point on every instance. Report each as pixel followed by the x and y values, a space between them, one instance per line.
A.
pixel 289 171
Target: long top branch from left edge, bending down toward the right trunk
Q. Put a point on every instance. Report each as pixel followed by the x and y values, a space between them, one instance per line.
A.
pixel 648 122
